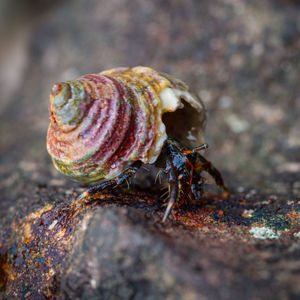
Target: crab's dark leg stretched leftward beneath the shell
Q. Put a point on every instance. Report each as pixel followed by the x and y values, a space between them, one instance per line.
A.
pixel 130 171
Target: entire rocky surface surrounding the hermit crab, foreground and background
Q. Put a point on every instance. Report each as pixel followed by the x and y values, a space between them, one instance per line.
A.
pixel 242 58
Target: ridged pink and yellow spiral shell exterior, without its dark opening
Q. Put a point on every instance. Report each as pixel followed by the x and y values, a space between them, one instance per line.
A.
pixel 101 123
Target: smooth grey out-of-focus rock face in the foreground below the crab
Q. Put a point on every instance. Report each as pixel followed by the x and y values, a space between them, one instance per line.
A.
pixel 168 262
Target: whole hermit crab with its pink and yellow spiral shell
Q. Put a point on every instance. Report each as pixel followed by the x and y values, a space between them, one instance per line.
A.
pixel 105 126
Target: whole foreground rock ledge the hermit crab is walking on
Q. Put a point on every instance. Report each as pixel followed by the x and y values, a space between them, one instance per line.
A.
pixel 116 247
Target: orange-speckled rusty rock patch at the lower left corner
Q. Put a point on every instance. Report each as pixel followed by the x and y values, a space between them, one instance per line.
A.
pixel 34 249
